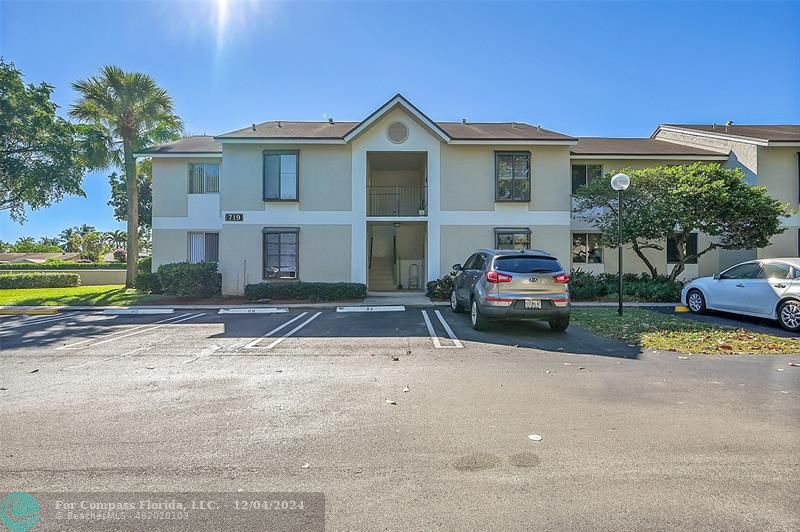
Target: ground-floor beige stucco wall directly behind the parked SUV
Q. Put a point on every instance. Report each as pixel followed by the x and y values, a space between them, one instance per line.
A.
pixel 460 241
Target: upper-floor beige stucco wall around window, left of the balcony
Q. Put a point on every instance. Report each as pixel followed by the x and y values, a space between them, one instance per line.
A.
pixel 325 177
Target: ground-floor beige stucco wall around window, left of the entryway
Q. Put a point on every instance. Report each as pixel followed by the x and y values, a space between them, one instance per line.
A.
pixel 321 255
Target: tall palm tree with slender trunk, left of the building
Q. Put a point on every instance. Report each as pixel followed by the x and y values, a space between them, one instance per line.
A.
pixel 128 111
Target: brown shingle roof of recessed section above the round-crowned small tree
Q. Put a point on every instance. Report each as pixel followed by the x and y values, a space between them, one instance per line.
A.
pixel 637 146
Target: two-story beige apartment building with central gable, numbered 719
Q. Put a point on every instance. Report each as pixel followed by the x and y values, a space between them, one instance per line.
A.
pixel 395 199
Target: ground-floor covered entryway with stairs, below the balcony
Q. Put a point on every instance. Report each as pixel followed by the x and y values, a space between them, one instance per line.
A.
pixel 396 256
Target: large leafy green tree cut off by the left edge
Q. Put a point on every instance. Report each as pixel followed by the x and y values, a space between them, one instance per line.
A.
pixel 42 156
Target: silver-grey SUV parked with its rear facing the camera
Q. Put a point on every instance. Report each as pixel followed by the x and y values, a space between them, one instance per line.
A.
pixel 512 285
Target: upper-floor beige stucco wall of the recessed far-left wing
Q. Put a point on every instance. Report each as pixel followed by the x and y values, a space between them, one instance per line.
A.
pixel 171 185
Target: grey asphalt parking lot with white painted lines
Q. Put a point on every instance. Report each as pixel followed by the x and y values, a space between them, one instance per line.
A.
pixel 198 401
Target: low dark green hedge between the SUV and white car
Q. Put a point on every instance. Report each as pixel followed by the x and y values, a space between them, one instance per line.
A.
pixel 585 286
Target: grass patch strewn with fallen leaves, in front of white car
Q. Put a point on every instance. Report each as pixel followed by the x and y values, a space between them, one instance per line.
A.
pixel 664 332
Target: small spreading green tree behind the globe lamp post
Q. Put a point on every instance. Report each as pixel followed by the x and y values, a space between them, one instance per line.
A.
pixel 674 201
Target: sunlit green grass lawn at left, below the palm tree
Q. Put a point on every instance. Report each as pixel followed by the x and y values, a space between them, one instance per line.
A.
pixel 79 295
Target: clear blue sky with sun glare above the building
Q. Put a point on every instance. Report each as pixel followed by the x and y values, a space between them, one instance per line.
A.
pixel 590 68
